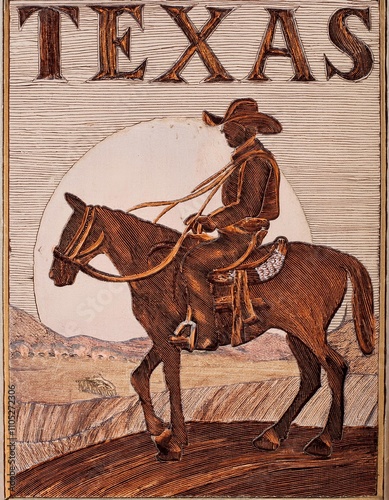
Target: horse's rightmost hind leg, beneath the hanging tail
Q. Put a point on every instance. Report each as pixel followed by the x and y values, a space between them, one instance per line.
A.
pixel 336 369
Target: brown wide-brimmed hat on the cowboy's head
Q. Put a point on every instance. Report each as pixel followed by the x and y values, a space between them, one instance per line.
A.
pixel 245 112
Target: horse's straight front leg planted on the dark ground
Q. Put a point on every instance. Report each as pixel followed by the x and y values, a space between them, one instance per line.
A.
pixel 170 443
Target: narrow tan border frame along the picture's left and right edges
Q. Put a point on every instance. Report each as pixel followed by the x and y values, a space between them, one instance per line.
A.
pixel 383 374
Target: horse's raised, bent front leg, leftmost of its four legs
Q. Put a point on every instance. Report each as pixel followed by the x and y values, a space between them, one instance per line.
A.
pixel 140 380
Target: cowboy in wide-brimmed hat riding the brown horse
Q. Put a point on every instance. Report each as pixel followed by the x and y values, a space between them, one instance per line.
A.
pixel 250 197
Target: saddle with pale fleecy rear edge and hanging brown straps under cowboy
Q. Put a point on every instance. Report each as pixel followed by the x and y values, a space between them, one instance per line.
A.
pixel 231 290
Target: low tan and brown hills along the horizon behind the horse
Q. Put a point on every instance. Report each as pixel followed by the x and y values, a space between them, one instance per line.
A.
pixel 29 338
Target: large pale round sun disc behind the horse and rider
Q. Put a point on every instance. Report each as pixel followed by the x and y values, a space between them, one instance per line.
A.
pixel 157 160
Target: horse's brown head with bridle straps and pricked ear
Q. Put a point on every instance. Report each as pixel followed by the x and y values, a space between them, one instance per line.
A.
pixel 81 240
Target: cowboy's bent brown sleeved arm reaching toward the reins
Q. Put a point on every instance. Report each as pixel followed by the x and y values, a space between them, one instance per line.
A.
pixel 252 185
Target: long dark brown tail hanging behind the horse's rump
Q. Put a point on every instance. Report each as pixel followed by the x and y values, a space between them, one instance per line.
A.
pixel 362 301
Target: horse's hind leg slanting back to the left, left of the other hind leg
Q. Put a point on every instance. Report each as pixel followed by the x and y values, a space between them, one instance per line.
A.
pixel 309 383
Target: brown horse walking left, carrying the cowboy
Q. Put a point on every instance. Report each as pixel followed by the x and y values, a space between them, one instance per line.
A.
pixel 301 300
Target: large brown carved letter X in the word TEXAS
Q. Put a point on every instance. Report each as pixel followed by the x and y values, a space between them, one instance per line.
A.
pixel 198 44
